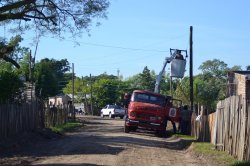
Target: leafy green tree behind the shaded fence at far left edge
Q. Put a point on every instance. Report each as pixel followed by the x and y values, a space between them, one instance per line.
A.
pixel 10 82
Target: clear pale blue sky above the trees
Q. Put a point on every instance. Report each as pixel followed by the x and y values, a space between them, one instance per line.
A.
pixel 139 33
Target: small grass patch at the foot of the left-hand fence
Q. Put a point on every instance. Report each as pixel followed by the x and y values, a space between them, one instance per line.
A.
pixel 69 126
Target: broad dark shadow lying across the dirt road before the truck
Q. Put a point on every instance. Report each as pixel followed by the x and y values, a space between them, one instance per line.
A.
pixel 91 144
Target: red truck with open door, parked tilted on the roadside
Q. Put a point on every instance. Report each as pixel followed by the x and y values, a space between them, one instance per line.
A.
pixel 150 111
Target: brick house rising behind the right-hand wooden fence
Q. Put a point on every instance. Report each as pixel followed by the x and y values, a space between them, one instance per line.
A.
pixel 239 84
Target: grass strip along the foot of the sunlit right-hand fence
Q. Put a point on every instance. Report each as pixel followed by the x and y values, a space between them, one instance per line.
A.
pixel 207 149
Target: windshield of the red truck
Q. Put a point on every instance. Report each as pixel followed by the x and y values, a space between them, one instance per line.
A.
pixel 148 98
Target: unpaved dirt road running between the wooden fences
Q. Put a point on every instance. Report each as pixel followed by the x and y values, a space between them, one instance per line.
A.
pixel 103 142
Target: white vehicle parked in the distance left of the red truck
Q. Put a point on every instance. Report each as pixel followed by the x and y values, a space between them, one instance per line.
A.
pixel 113 111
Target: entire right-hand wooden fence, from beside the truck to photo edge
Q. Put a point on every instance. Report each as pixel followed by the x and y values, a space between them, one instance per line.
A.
pixel 228 128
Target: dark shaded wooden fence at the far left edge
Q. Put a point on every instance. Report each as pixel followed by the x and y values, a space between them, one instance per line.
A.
pixel 15 119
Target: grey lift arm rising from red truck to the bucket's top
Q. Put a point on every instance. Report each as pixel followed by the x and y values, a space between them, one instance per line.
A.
pixel 174 55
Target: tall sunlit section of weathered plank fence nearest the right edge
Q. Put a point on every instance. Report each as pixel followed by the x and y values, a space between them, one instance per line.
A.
pixel 232 127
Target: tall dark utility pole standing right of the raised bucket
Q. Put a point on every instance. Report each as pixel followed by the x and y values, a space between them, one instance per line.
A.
pixel 191 69
